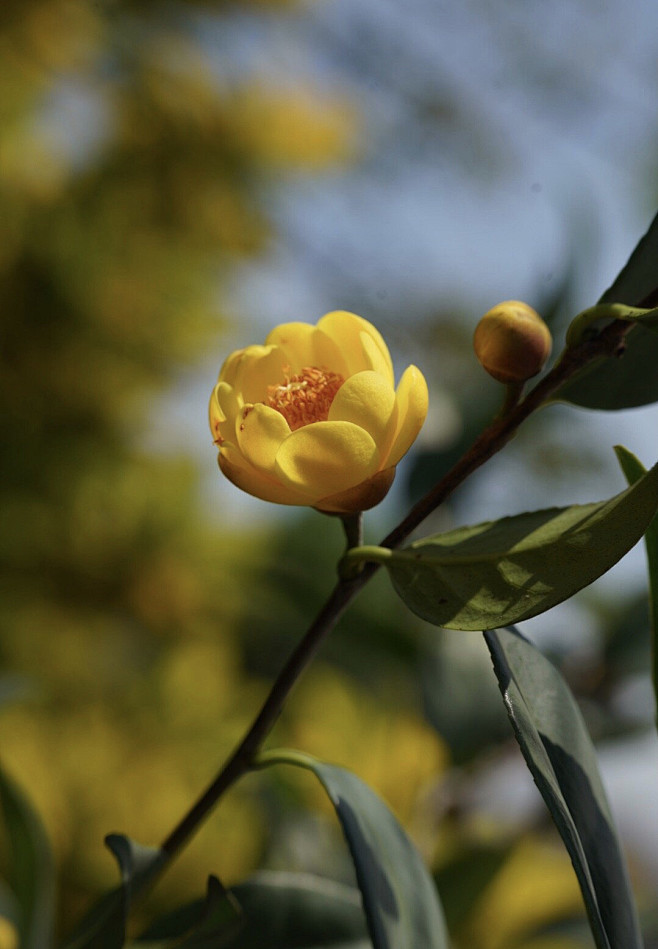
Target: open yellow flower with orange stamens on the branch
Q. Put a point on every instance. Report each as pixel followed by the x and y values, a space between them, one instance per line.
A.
pixel 313 418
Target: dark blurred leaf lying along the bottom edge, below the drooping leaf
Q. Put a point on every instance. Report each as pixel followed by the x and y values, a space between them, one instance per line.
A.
pixel 271 911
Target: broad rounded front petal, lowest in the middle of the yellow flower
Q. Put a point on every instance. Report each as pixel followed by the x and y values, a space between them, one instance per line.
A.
pixel 327 457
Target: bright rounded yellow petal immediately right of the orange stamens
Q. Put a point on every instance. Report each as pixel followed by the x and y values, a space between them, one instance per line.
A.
pixel 369 401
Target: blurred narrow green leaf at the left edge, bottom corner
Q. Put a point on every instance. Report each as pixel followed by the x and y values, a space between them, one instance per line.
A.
pixel 31 874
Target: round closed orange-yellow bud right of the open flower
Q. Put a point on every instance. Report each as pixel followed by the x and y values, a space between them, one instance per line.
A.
pixel 512 342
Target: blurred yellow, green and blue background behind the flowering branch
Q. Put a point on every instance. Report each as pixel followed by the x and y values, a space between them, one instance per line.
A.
pixel 177 177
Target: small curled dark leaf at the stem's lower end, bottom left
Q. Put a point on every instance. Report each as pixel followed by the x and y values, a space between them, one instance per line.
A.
pixel 104 927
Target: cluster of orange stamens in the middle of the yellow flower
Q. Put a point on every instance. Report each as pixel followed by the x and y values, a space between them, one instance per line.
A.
pixel 306 397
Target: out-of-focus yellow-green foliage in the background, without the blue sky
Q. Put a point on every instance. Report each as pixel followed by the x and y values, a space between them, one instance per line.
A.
pixel 138 637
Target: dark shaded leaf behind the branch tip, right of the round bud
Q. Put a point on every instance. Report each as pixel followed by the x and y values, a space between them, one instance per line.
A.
pixel 632 380
